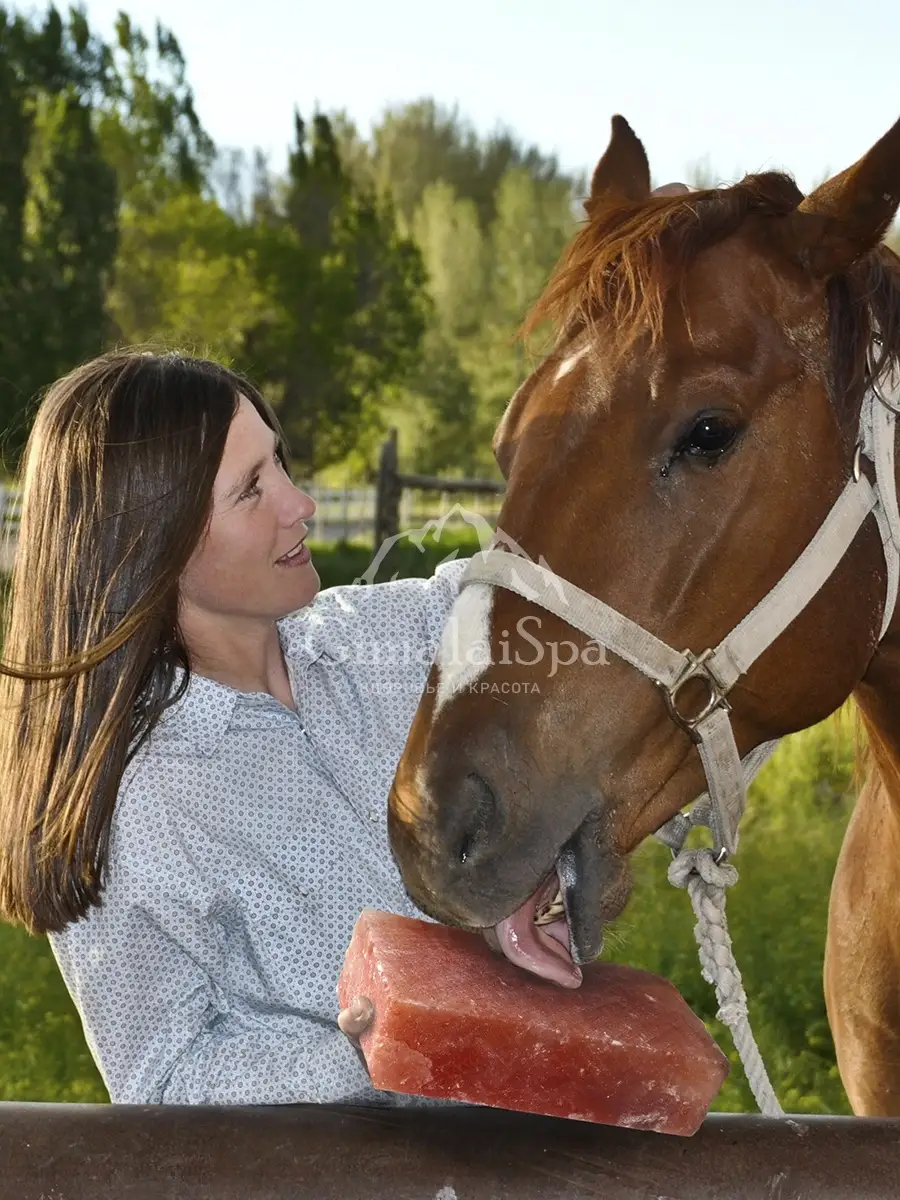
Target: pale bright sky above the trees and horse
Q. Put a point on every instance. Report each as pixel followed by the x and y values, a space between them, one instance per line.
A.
pixel 765 85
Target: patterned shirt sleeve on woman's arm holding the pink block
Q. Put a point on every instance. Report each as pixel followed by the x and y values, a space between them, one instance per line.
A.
pixel 141 970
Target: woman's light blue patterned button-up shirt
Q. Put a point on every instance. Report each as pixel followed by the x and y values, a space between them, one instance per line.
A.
pixel 247 841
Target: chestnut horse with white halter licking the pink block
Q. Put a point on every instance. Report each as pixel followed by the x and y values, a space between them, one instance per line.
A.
pixel 692 431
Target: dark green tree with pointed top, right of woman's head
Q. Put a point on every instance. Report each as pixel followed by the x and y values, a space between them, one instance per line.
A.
pixel 349 304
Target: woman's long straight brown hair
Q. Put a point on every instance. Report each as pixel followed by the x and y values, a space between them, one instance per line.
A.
pixel 117 494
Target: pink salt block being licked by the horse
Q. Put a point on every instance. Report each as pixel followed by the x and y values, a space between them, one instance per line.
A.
pixel 455 1022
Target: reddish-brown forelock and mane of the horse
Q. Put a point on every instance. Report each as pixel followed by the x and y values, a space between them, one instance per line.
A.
pixel 627 259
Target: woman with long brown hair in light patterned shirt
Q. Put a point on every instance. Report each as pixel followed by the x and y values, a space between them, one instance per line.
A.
pixel 197 748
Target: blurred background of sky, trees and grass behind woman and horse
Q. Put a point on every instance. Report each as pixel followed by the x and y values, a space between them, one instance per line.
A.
pixel 357 205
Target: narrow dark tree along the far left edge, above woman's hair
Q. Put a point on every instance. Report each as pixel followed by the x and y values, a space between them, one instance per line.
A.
pixel 58 201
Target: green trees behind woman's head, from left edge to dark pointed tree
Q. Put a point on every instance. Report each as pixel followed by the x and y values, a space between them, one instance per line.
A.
pixel 110 232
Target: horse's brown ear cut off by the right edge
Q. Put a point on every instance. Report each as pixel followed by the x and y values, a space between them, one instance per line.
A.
pixel 850 214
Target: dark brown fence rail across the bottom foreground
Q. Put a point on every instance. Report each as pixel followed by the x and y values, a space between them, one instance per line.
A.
pixel 325 1153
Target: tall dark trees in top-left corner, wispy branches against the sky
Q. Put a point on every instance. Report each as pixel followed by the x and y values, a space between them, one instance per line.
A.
pixel 88 130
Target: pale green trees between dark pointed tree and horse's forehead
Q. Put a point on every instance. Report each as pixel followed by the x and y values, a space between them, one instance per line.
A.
pixel 491 219
